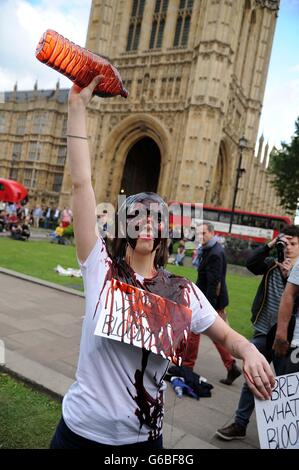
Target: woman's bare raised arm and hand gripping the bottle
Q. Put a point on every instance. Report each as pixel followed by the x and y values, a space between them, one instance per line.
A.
pixel 84 203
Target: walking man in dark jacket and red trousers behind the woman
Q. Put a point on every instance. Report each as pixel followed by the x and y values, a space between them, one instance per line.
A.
pixel 211 281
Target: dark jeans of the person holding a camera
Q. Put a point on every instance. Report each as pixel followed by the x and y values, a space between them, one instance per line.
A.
pixel 246 402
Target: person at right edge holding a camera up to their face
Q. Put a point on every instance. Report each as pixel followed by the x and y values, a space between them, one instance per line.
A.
pixel 275 271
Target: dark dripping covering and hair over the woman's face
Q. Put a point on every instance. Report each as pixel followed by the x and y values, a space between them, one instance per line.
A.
pixel 133 216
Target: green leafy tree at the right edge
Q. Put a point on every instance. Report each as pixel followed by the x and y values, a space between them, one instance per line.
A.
pixel 284 169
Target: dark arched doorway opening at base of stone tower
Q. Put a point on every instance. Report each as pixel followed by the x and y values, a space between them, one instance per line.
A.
pixel 142 168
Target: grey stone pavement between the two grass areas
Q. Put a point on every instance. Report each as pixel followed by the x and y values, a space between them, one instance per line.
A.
pixel 40 324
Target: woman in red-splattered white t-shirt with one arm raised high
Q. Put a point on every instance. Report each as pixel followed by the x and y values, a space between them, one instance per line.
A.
pixel 137 316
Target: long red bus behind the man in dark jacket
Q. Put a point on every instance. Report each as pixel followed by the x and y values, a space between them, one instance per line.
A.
pixel 251 226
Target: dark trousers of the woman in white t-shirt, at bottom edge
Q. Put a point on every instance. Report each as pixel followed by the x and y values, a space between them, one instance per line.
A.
pixel 64 438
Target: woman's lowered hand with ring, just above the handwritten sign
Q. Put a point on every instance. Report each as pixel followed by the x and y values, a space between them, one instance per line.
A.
pixel 258 373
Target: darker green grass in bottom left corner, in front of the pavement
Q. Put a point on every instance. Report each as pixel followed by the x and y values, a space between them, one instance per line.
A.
pixel 28 418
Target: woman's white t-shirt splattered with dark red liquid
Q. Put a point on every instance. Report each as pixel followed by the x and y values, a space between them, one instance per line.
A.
pixel 117 397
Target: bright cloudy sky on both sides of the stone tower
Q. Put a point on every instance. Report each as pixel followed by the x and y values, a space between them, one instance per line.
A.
pixel 22 23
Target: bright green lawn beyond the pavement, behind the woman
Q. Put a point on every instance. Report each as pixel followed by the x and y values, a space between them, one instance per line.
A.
pixel 39 258
